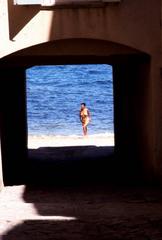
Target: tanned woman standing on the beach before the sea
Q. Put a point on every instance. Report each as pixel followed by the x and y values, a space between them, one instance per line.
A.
pixel 84 117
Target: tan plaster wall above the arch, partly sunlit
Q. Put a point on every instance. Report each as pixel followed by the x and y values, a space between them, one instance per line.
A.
pixel 132 23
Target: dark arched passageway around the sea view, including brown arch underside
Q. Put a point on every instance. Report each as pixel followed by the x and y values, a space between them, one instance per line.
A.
pixel 131 72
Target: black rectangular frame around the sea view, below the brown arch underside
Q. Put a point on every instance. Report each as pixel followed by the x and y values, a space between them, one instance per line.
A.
pixel 129 128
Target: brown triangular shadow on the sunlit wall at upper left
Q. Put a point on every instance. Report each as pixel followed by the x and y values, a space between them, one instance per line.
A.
pixel 19 17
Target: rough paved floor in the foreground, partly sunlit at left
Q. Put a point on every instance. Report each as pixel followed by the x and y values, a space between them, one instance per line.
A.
pixel 89 213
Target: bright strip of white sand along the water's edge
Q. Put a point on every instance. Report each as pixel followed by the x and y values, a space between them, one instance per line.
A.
pixel 58 141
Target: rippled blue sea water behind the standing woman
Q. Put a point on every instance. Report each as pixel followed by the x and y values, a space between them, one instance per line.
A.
pixel 54 94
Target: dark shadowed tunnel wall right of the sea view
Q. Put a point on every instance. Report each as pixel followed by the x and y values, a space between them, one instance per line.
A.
pixel 133 118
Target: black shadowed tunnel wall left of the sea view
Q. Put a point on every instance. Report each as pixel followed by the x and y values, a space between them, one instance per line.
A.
pixel 13 123
